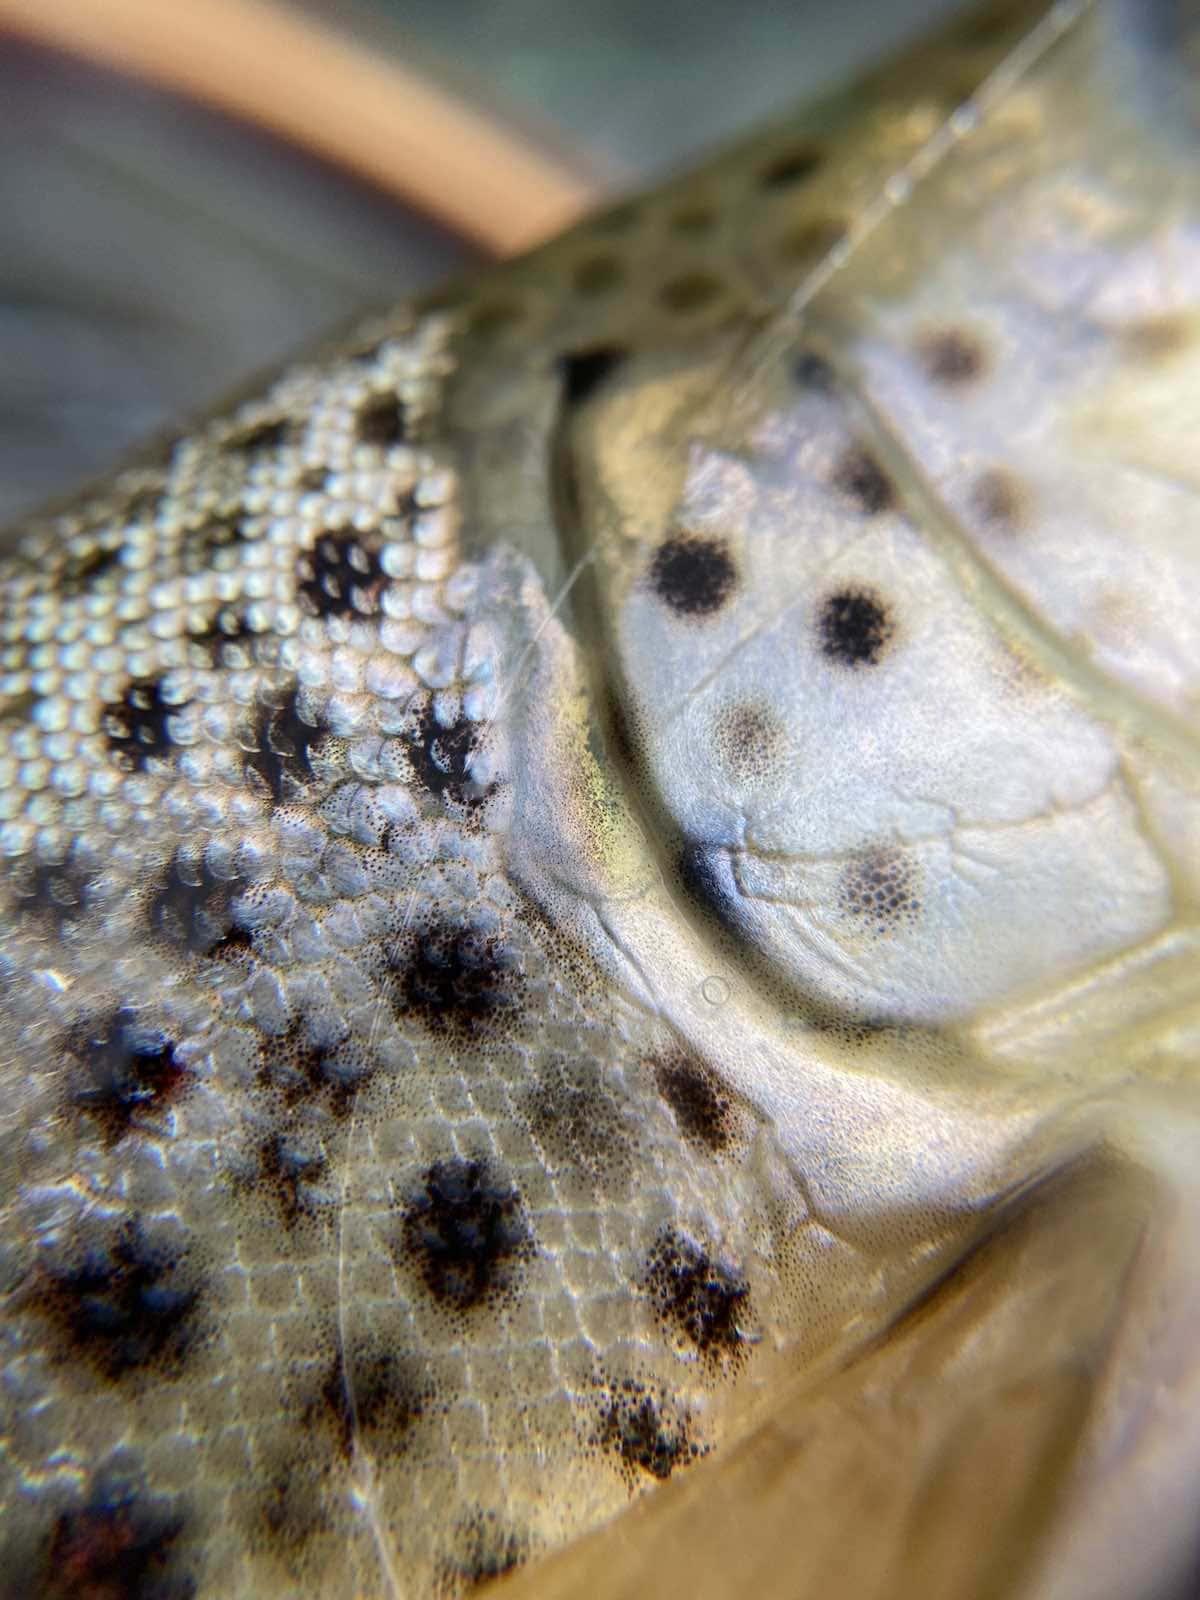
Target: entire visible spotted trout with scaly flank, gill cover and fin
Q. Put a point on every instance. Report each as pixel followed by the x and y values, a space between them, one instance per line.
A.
pixel 599 902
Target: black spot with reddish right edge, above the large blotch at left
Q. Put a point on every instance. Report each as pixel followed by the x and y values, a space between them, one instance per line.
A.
pixel 127 1070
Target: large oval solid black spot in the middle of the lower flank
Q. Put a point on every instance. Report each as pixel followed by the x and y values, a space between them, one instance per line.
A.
pixel 466 1231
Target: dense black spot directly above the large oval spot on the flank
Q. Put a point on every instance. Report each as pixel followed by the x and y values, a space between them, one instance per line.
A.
pixel 457 978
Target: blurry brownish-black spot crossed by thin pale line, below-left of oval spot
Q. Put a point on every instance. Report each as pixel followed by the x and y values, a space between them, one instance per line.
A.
pixel 375 1398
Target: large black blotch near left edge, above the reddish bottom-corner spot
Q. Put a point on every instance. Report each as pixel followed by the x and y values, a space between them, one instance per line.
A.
pixel 126 1300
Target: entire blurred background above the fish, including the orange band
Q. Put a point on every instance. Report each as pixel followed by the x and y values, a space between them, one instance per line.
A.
pixel 156 250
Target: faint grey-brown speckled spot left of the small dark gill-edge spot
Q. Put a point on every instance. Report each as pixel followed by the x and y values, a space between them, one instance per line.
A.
pixel 578 1121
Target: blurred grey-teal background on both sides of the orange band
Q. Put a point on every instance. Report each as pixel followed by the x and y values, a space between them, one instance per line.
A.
pixel 154 255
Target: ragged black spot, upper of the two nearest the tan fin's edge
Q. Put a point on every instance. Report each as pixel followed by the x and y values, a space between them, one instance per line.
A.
pixel 698 1300
